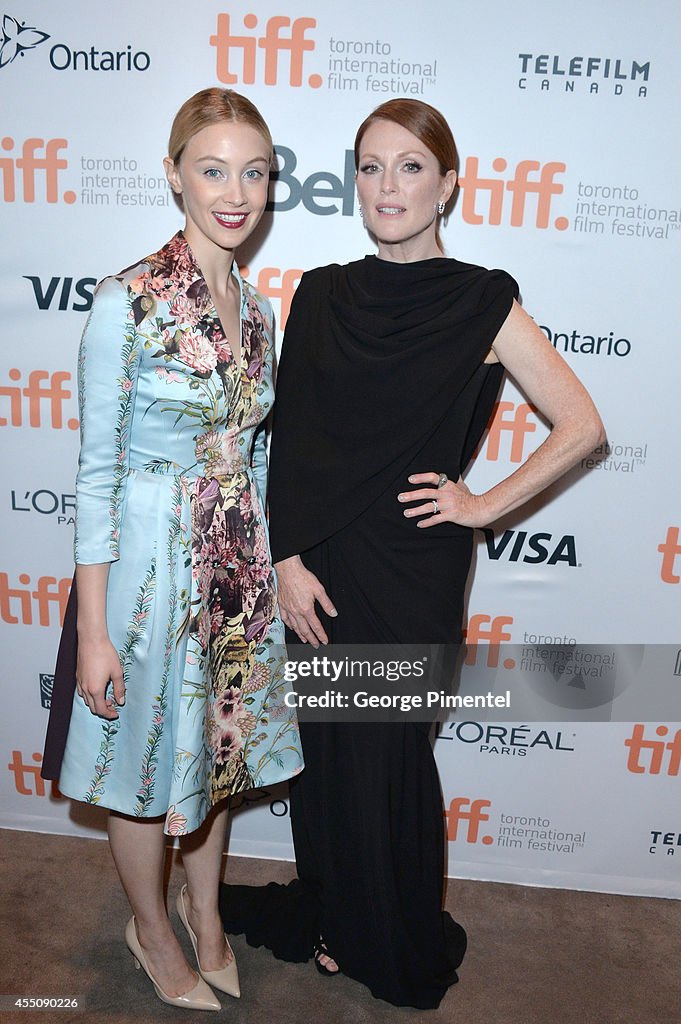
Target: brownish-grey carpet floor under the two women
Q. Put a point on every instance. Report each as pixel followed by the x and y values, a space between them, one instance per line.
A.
pixel 536 956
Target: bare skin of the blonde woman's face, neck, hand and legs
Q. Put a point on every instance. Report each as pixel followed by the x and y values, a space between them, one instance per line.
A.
pixel 223 176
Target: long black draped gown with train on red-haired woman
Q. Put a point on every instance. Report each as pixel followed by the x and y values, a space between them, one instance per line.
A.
pixel 382 375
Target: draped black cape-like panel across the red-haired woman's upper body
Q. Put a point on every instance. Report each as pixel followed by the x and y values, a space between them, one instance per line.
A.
pixel 376 354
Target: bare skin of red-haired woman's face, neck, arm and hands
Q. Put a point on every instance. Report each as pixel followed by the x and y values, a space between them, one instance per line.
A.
pixel 400 184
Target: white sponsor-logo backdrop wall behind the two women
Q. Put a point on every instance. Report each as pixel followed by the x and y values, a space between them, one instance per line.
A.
pixel 566 123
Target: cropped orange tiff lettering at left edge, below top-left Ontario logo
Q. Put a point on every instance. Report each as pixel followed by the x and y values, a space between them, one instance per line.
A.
pixel 32 165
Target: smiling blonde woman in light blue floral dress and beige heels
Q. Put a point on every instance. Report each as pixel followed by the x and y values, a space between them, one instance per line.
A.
pixel 178 702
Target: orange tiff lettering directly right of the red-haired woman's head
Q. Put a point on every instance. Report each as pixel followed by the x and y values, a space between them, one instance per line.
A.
pixel 521 186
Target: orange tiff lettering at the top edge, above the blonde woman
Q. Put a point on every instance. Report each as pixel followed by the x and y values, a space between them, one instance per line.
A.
pixel 273 42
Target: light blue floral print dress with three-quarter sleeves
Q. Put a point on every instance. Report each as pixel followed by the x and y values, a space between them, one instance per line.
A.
pixel 171 492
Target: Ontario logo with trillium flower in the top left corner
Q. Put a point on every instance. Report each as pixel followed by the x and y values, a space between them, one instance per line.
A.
pixel 20 37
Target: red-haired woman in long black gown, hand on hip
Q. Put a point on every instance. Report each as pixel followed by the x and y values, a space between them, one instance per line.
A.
pixel 389 374
